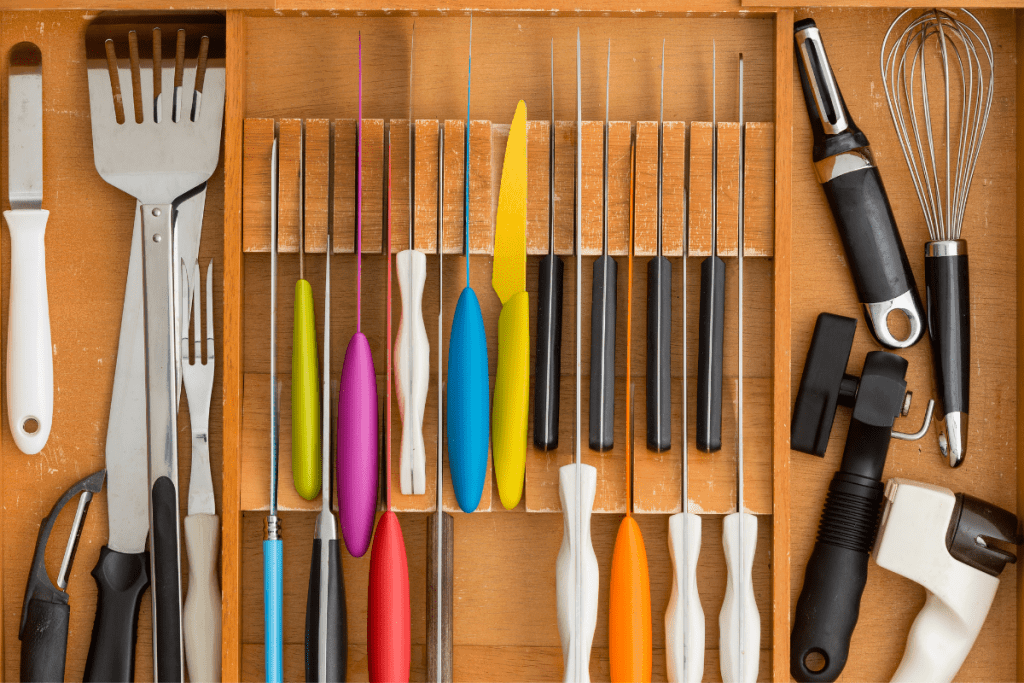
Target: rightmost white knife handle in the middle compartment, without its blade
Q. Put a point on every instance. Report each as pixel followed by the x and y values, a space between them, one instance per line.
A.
pixel 740 646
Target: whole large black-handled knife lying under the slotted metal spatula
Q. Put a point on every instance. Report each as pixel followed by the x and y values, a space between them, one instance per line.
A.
pixel 123 571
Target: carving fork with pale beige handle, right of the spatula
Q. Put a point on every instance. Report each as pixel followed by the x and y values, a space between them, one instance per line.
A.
pixel 202 609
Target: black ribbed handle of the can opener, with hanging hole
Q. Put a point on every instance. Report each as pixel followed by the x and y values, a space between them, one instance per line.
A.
pixel 834 583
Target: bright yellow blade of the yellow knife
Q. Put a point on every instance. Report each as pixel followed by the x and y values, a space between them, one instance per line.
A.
pixel 509 275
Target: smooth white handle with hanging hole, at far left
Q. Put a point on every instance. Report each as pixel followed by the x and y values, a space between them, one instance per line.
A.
pixel 30 356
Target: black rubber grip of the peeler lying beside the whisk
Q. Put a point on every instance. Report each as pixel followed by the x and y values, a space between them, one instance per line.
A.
pixel 867 227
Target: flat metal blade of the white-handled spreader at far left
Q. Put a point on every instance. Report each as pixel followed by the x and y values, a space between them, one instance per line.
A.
pixel 25 127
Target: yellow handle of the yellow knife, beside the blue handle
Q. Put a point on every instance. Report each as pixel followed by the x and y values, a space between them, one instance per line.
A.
pixel 511 407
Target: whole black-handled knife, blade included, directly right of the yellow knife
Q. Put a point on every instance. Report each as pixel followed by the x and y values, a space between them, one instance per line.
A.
pixel 548 369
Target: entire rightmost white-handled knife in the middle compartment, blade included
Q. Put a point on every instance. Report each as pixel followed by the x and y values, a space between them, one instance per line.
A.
pixel 740 622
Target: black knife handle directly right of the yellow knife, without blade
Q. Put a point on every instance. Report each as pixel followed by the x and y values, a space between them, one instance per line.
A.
pixel 548 365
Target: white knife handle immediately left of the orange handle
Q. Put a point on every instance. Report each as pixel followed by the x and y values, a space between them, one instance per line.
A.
pixel 577 643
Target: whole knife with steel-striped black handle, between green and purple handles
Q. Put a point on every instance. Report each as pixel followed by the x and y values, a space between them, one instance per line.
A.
pixel 327 621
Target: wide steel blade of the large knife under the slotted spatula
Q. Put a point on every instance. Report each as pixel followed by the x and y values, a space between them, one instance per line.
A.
pixel 127 456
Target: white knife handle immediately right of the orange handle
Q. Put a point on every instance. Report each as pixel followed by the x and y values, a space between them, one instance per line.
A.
pixel 685 625
